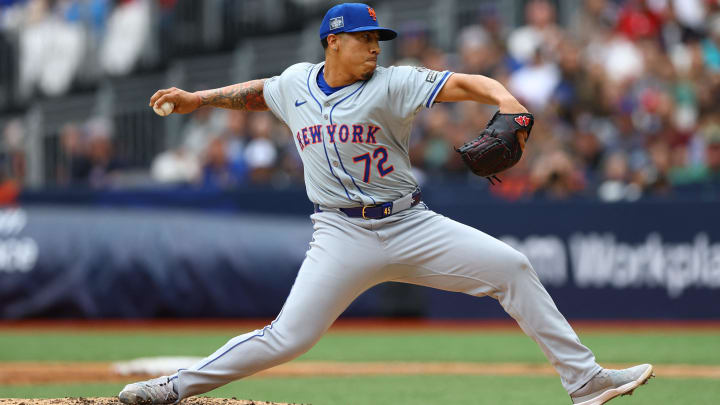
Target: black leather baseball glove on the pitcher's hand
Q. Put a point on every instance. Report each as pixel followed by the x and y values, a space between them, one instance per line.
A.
pixel 497 148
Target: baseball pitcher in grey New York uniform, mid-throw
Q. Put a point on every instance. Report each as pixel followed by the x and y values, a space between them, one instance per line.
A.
pixel 350 120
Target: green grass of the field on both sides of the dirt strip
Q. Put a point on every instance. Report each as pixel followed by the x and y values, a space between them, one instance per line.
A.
pixel 701 348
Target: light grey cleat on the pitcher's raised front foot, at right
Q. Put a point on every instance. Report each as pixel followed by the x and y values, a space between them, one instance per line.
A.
pixel 608 384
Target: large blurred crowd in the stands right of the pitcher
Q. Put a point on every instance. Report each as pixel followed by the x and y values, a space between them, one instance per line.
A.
pixel 626 98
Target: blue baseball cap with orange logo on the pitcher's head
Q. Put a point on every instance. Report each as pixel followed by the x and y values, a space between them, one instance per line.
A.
pixel 353 17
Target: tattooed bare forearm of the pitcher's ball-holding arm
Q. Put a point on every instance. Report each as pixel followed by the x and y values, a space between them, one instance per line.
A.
pixel 246 96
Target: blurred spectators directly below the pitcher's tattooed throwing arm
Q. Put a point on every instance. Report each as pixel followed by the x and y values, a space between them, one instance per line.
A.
pixel 223 149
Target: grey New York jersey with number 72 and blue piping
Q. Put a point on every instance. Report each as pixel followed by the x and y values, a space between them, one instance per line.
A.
pixel 354 142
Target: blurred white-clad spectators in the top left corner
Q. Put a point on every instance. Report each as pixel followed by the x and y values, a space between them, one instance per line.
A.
pixel 57 39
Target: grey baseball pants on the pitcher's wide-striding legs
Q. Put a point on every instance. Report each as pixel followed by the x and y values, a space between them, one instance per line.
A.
pixel 418 246
